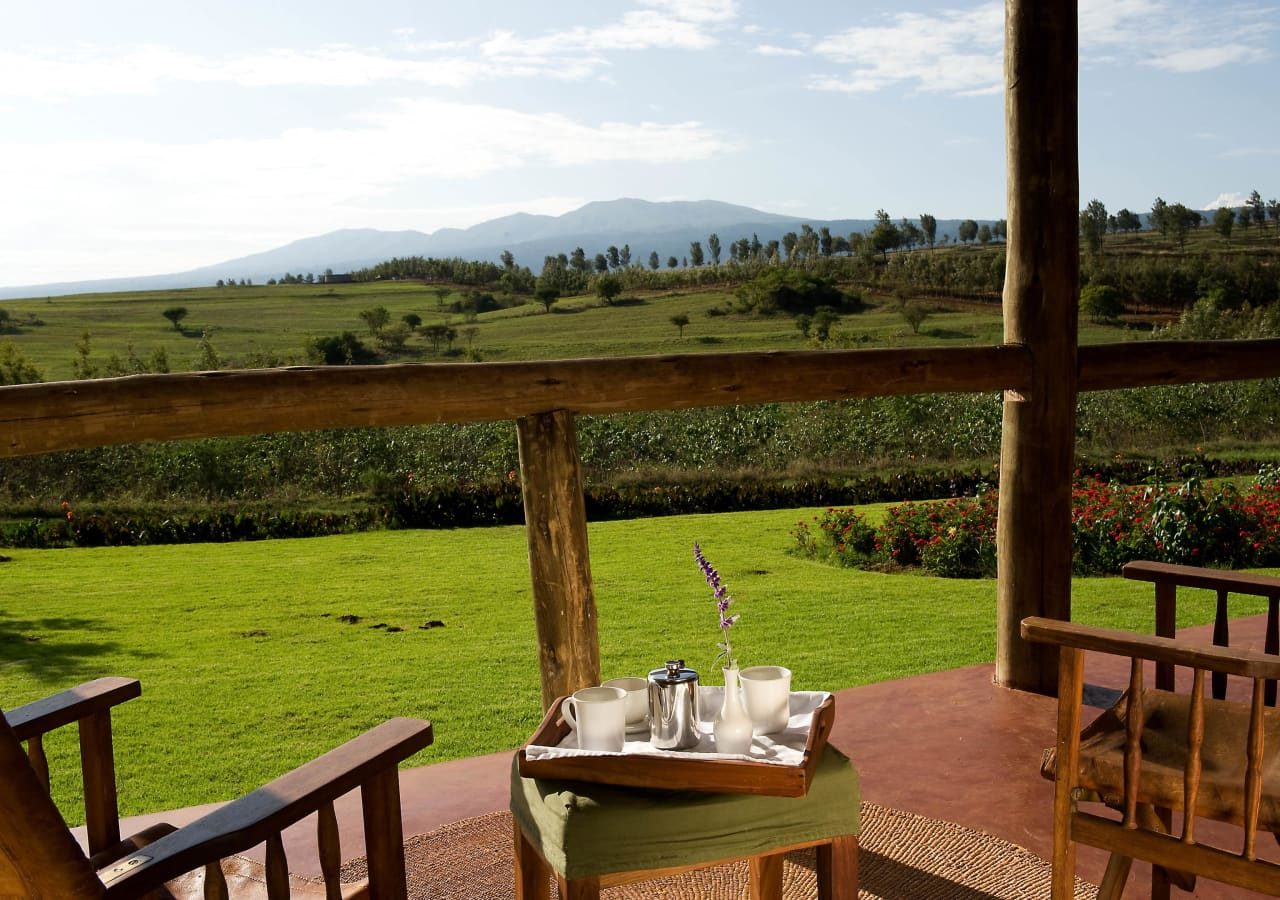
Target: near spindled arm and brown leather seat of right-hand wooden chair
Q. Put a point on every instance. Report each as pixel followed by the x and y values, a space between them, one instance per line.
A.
pixel 1156 750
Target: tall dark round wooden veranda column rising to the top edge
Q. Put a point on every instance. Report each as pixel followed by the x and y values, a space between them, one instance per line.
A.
pixel 1041 289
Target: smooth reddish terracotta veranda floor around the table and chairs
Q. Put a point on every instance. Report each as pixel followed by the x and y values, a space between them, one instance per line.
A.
pixel 949 746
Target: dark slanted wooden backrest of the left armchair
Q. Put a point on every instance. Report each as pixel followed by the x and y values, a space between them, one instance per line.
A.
pixel 39 856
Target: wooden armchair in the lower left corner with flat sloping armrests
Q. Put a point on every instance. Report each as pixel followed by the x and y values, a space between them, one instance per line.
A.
pixel 40 858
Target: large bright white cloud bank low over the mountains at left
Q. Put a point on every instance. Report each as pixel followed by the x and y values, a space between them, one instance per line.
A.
pixel 113 207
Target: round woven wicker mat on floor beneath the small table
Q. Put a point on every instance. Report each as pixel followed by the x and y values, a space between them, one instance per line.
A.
pixel 903 857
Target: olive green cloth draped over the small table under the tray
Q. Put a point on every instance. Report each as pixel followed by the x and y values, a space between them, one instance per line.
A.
pixel 583 829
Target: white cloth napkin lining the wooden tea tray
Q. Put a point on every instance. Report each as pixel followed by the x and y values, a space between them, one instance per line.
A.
pixel 785 748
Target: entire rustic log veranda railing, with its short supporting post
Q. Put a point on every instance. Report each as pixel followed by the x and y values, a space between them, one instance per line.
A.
pixel 543 399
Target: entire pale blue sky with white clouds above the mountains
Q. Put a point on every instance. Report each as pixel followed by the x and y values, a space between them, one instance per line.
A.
pixel 143 138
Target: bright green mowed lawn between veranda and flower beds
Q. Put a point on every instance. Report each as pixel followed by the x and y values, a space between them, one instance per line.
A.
pixel 248 669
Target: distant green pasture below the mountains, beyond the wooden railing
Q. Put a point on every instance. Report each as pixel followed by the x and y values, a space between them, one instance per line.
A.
pixel 278 322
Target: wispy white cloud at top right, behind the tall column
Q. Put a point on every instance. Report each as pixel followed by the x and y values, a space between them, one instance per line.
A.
pixel 961 51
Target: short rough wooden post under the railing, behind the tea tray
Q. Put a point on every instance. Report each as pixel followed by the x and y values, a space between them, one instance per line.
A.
pixel 559 560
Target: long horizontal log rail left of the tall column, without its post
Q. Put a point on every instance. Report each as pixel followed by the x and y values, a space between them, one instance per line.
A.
pixel 70 415
